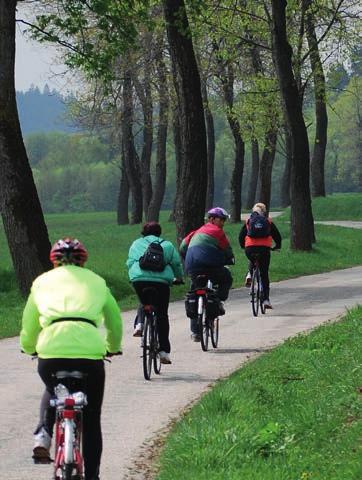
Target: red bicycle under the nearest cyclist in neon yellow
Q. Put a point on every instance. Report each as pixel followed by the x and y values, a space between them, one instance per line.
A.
pixel 69 400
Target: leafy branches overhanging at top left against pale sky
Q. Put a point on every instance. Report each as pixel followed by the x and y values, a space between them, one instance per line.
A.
pixel 96 32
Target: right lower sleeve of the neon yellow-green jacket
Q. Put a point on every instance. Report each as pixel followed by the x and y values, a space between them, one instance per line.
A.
pixel 113 323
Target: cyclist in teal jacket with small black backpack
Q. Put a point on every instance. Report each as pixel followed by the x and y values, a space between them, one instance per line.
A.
pixel 161 281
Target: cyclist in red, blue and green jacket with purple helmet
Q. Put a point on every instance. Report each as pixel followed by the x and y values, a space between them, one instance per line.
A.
pixel 207 251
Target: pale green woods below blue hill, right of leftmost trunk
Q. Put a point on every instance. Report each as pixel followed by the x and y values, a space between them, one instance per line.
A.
pixel 73 173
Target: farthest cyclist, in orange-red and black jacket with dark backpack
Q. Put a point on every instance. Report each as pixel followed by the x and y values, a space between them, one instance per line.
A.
pixel 256 236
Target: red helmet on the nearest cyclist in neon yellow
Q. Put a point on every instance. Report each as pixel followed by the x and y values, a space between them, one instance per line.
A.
pixel 68 251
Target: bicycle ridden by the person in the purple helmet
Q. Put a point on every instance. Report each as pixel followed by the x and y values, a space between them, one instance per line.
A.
pixel 208 322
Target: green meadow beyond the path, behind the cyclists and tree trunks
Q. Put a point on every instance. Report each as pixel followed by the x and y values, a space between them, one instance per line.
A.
pixel 108 246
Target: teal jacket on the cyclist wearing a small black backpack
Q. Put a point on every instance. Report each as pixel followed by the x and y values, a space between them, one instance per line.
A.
pixel 173 267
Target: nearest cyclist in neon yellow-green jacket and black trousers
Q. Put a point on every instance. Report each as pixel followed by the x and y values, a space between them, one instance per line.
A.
pixel 60 324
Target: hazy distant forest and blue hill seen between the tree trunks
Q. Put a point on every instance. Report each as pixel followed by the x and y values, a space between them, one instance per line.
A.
pixel 76 170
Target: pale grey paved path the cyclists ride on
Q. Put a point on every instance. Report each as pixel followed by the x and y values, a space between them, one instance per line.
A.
pixel 134 410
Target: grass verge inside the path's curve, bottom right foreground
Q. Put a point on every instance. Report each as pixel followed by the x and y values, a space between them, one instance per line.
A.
pixel 292 414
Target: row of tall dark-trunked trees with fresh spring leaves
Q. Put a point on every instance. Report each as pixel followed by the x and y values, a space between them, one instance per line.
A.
pixel 259 57
